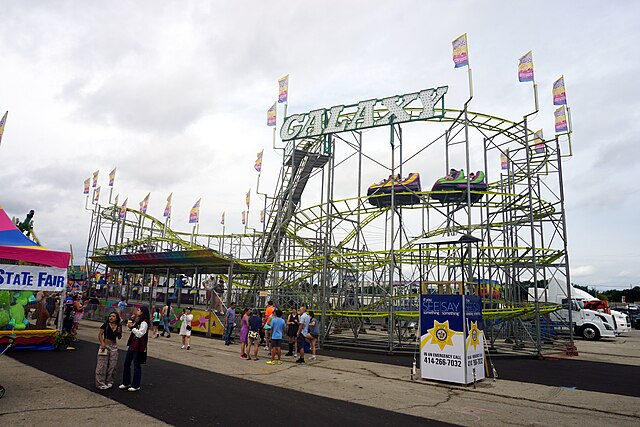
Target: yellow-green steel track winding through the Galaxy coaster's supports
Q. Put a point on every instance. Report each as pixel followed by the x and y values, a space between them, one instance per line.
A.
pixel 311 218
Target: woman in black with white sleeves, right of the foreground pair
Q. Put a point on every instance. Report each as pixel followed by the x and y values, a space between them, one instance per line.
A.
pixel 137 352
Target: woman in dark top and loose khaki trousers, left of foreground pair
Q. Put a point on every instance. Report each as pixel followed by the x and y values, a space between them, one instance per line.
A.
pixel 109 332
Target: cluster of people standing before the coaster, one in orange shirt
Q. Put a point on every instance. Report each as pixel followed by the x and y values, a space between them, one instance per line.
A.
pixel 301 328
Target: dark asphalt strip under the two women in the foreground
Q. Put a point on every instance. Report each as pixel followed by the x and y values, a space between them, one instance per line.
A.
pixel 182 395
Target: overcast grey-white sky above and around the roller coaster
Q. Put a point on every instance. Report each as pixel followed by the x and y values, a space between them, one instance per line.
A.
pixel 174 94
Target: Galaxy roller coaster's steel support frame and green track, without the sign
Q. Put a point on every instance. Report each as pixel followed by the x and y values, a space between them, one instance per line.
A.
pixel 361 265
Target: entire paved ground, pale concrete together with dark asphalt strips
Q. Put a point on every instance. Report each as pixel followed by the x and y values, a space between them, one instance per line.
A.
pixel 210 385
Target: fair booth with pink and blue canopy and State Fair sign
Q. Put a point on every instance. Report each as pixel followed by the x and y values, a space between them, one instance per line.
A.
pixel 29 276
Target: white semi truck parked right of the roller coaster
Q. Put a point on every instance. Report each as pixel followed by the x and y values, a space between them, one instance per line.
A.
pixel 589 324
